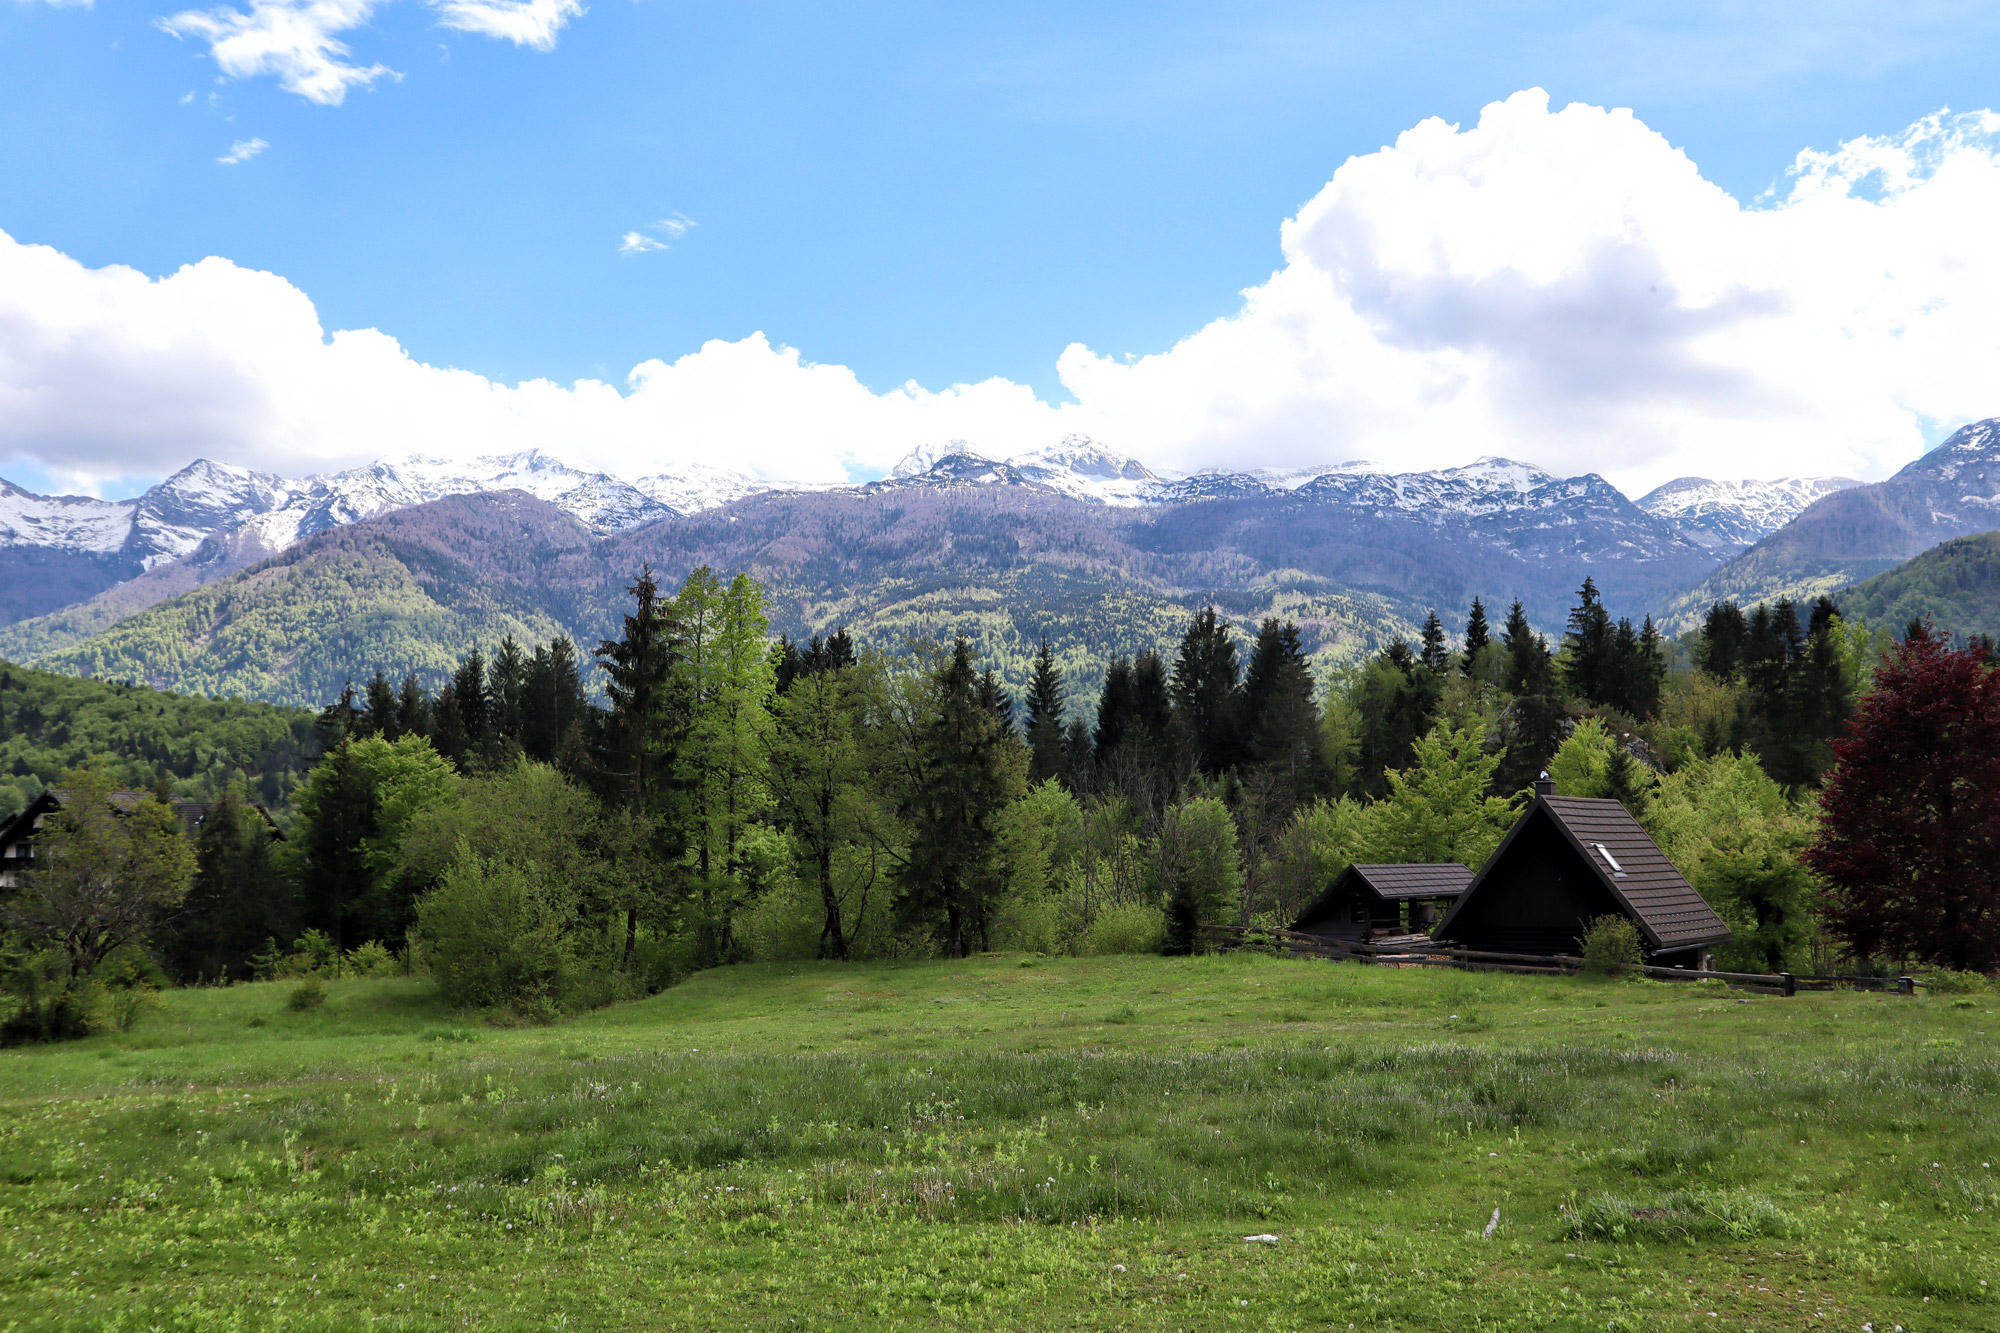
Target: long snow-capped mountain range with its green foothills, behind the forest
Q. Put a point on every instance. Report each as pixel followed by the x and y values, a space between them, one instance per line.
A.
pixel 235 581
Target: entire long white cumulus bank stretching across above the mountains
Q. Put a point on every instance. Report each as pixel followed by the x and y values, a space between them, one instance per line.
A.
pixel 1553 285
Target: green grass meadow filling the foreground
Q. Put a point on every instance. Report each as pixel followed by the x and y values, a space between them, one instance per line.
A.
pixel 1017 1144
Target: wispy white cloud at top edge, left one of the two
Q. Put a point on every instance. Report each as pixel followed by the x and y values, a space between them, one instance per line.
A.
pixel 291 39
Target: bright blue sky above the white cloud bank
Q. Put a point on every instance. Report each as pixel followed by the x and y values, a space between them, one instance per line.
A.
pixel 917 193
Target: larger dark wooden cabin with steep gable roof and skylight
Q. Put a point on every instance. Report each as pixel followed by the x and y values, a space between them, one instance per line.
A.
pixel 1567 862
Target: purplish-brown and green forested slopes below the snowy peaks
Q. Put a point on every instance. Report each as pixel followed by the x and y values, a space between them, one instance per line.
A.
pixel 1001 565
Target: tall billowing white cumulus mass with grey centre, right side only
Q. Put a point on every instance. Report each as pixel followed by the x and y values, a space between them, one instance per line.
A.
pixel 1567 287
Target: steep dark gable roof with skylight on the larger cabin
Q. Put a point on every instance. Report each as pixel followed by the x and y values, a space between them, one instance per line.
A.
pixel 1659 898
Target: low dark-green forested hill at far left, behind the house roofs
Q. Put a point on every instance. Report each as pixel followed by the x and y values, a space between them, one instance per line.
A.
pixel 199 746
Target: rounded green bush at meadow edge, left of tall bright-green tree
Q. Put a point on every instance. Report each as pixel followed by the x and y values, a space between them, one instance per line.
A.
pixel 497 936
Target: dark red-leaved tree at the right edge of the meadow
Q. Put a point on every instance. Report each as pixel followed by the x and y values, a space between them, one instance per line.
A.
pixel 1909 834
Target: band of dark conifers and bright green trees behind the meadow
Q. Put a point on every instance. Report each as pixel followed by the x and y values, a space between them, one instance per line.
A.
pixel 557 828
